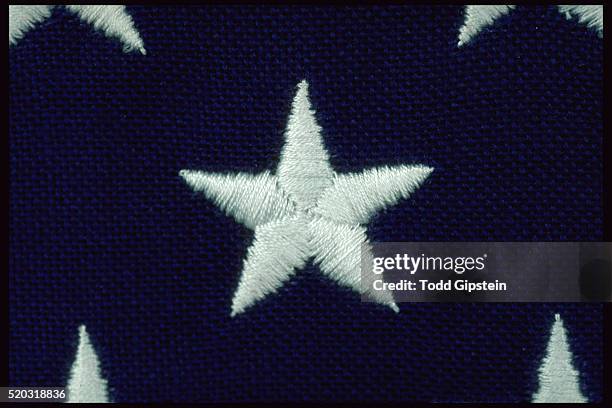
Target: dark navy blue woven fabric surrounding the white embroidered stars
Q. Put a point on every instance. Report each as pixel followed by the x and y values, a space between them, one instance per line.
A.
pixel 103 231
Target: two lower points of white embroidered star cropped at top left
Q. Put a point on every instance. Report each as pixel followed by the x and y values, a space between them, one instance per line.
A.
pixel 114 21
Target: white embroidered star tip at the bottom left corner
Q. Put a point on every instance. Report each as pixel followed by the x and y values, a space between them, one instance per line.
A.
pixel 86 383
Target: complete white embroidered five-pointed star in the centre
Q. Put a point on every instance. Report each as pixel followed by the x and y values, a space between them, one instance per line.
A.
pixel 305 210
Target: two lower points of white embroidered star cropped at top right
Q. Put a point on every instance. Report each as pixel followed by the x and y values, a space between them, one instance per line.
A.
pixel 481 16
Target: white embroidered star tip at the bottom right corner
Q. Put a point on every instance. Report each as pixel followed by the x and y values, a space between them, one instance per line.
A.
pixel 559 380
